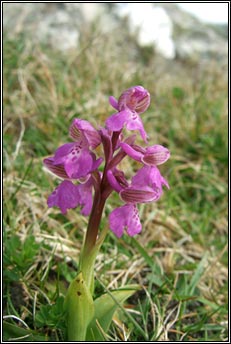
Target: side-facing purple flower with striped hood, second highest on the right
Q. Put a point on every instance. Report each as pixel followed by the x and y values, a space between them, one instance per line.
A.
pixel 153 155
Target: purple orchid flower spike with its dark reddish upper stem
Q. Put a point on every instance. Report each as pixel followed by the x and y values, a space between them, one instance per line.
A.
pixel 87 186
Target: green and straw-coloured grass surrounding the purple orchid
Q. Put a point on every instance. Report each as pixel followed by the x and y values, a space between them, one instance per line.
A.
pixel 180 259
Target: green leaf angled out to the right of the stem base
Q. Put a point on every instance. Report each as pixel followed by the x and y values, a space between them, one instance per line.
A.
pixel 105 307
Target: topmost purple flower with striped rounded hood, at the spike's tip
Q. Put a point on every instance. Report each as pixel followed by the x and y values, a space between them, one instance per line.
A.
pixel 131 103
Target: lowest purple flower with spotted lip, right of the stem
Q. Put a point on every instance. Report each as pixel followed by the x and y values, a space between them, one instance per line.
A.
pixel 125 217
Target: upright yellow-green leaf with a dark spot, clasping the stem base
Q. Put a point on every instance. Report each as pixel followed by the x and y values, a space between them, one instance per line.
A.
pixel 80 309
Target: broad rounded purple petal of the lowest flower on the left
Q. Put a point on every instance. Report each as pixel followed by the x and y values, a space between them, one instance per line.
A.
pixel 65 196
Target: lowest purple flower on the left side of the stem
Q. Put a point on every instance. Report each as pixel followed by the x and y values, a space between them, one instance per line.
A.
pixel 67 196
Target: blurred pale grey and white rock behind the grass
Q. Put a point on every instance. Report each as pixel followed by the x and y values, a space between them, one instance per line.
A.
pixel 172 32
